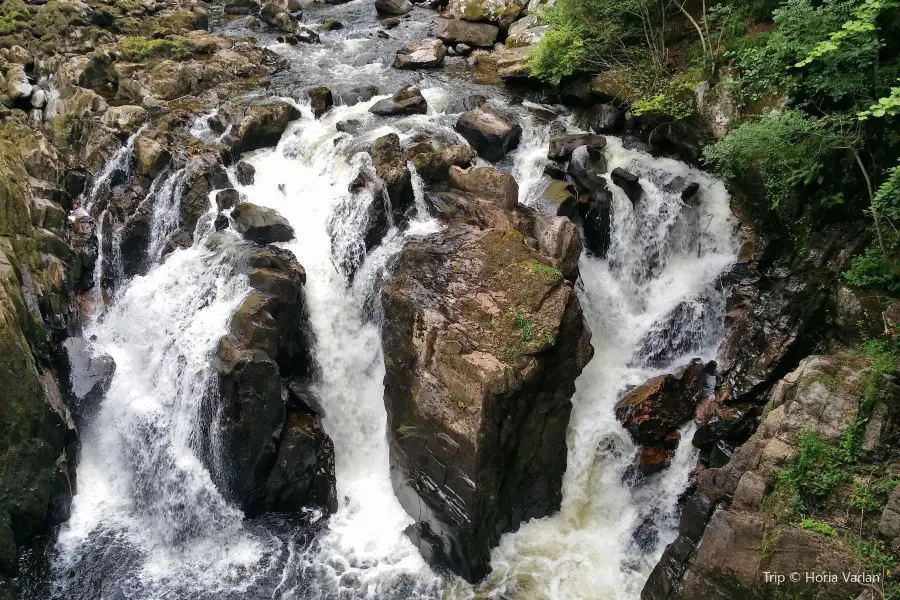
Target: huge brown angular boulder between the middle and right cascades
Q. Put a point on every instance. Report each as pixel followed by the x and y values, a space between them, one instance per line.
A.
pixel 483 341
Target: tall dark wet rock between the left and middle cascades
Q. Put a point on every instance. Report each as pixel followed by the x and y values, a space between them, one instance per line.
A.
pixel 279 458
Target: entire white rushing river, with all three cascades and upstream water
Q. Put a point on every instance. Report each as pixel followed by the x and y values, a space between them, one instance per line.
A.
pixel 148 523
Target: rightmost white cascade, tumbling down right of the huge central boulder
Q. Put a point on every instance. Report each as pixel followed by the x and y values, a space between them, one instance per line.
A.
pixel 656 263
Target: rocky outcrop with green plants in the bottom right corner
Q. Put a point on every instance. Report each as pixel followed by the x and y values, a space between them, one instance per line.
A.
pixel 807 492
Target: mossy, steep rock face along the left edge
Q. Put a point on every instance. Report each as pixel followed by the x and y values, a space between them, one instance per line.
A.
pixel 37 433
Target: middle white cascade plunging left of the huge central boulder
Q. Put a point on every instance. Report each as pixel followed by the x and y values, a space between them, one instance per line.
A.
pixel 363 551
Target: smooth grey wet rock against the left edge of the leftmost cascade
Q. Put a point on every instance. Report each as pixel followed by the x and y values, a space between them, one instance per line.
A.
pixel 89 374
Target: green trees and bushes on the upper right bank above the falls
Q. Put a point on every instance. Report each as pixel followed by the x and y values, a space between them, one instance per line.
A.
pixel 816 84
